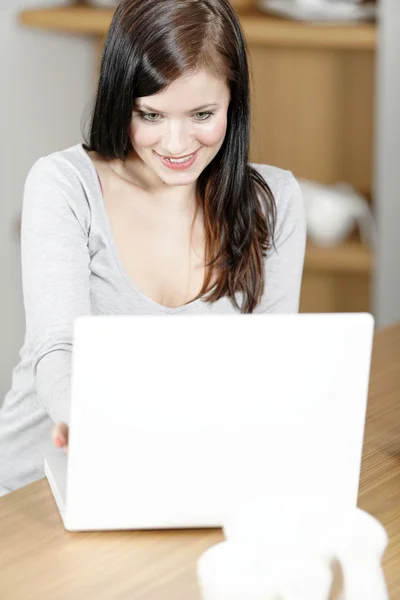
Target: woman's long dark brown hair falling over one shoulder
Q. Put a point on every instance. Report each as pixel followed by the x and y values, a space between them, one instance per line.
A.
pixel 150 44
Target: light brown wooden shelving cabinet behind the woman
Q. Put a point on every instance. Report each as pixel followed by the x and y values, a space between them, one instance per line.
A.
pixel 312 112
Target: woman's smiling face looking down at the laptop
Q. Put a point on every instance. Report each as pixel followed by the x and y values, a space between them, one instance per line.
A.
pixel 186 121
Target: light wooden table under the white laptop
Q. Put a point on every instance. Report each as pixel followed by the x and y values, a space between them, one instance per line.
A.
pixel 40 560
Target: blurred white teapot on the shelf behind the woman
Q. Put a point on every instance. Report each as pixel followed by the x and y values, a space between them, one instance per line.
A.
pixel 333 212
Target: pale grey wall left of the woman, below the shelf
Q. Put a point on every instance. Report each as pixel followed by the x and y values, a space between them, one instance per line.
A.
pixel 46 86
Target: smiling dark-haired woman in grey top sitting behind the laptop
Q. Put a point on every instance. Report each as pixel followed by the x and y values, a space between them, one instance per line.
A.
pixel 159 212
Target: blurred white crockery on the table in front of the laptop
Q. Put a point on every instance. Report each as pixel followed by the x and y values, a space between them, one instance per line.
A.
pixel 287 550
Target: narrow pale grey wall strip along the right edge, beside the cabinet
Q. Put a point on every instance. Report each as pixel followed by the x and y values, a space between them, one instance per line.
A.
pixel 387 192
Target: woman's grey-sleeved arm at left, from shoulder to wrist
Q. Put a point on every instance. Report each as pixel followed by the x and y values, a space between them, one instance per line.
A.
pixel 55 276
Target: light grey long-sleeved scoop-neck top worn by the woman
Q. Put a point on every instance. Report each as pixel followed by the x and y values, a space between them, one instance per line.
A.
pixel 71 267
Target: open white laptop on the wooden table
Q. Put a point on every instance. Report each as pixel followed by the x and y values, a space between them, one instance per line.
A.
pixel 175 420
